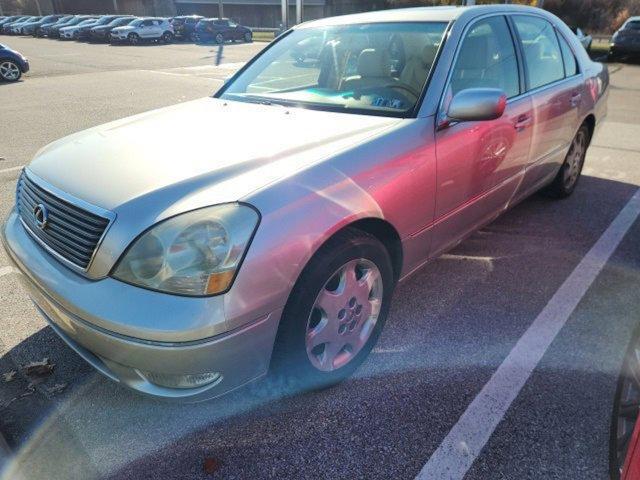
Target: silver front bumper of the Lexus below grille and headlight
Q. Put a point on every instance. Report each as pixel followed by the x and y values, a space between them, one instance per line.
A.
pixel 238 356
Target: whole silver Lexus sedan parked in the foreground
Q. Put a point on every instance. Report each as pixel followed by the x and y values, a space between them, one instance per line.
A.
pixel 277 245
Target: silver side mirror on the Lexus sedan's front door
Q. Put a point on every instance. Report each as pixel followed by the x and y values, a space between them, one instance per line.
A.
pixel 475 104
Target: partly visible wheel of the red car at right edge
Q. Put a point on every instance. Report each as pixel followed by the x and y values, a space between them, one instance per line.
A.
pixel 626 405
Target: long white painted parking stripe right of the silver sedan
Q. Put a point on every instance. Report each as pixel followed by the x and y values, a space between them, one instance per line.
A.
pixel 457 452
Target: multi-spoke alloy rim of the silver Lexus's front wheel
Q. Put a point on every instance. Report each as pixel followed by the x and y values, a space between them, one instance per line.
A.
pixel 344 315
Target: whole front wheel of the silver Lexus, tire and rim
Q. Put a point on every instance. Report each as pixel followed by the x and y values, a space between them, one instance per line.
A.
pixel 301 358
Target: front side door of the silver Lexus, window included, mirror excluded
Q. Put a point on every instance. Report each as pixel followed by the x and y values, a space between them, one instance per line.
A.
pixel 480 164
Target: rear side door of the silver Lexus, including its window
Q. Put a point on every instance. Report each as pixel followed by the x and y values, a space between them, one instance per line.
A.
pixel 556 89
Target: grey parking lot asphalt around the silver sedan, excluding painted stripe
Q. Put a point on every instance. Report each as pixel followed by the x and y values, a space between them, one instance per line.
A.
pixel 451 327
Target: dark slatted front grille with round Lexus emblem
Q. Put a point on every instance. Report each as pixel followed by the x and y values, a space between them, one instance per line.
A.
pixel 71 232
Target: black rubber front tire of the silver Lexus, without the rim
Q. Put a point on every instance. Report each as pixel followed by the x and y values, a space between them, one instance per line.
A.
pixel 290 361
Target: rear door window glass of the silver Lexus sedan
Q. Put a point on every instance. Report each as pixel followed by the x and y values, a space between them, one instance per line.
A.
pixel 542 56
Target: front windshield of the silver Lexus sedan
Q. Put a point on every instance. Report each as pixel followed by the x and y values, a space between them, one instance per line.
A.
pixel 376 69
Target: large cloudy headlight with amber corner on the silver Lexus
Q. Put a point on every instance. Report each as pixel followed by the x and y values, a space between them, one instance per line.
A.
pixel 196 253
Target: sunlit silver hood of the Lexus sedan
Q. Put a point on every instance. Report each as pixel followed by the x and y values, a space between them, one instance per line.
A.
pixel 197 153
